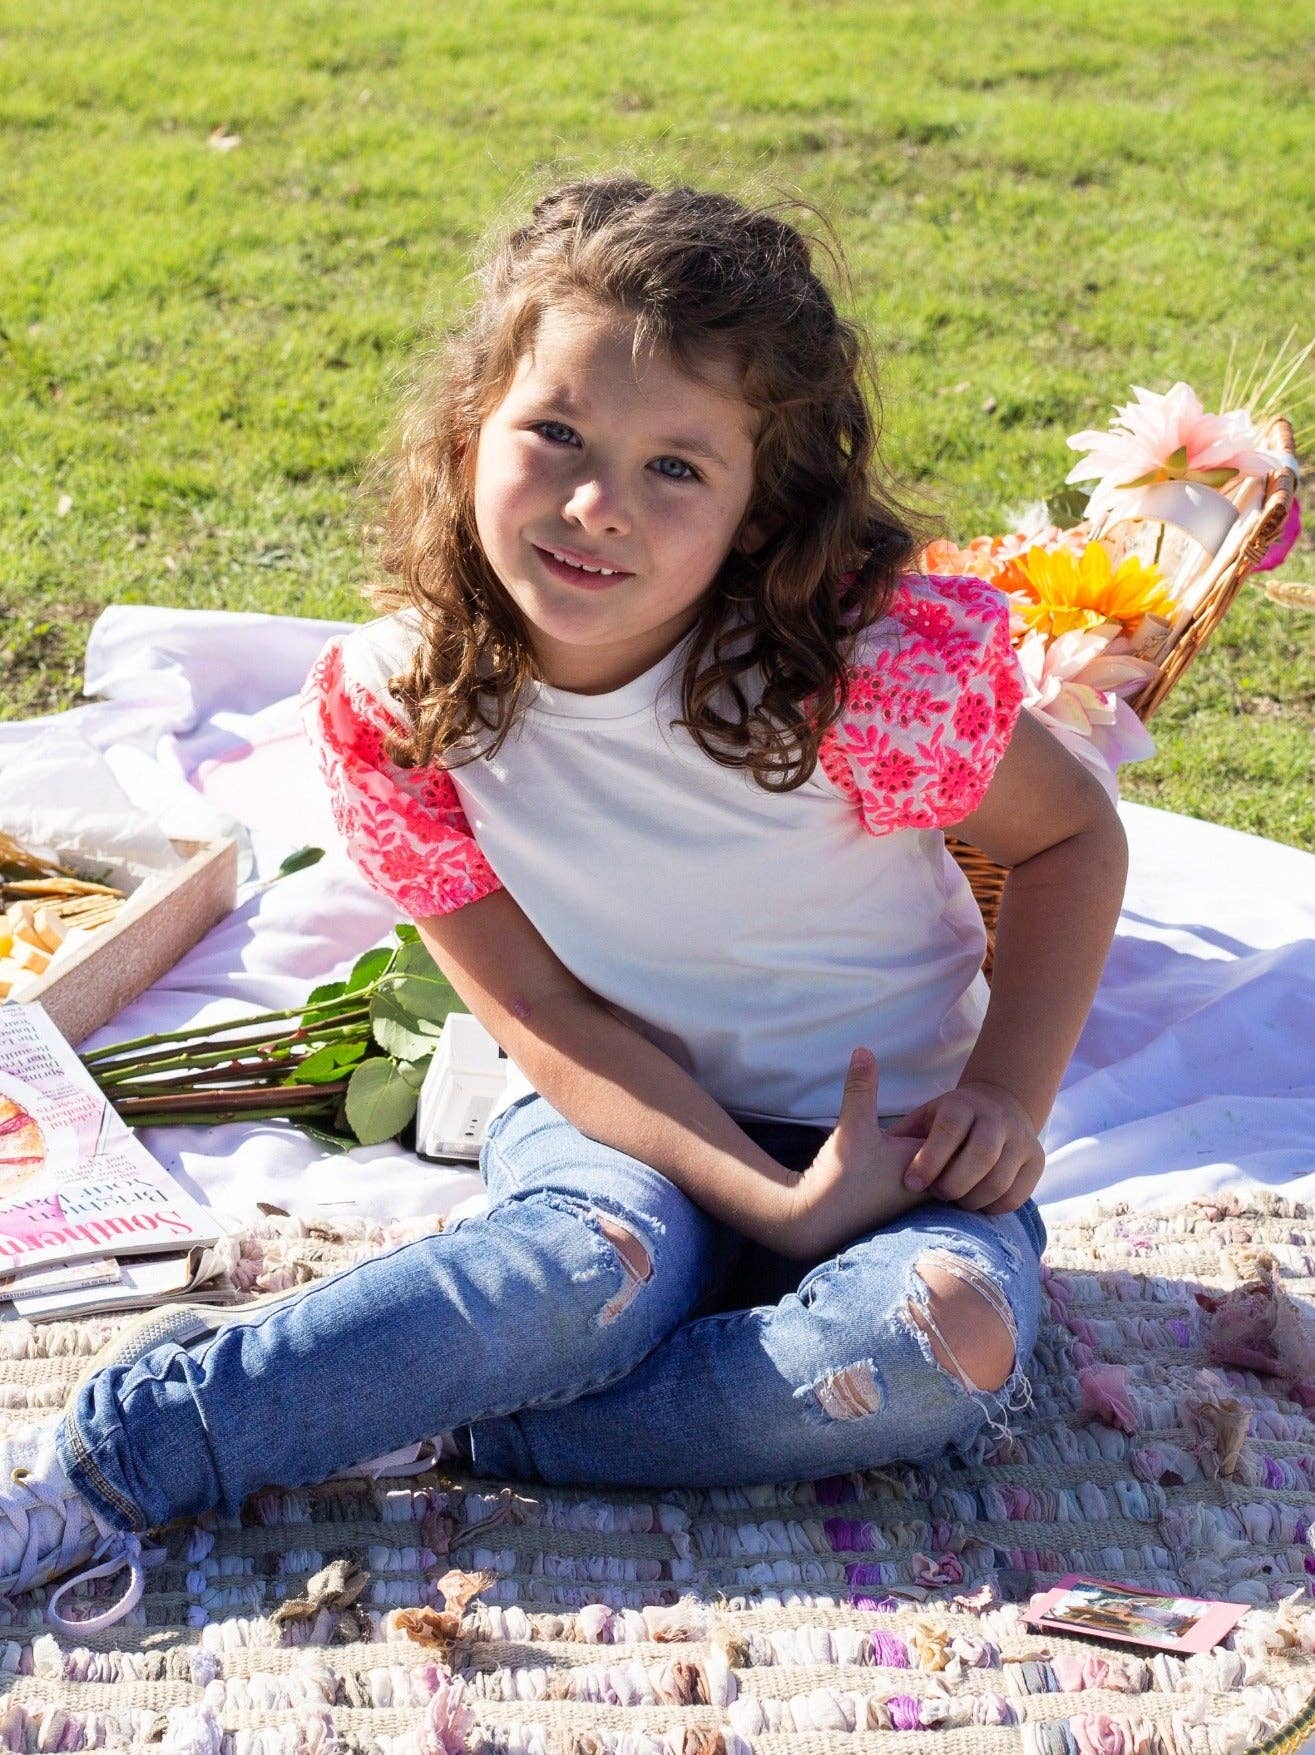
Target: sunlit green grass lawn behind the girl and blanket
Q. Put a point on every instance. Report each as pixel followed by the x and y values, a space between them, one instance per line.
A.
pixel 1042 203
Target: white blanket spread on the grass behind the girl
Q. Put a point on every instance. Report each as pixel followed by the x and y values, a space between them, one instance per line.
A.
pixel 1196 1068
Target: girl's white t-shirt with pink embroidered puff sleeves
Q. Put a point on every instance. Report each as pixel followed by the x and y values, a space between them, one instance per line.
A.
pixel 758 938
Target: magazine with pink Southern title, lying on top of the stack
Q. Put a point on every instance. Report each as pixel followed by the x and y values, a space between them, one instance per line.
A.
pixel 75 1180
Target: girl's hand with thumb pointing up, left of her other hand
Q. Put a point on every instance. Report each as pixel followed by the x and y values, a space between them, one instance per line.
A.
pixel 854 1184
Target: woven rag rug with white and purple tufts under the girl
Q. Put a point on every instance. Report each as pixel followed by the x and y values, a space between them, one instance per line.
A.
pixel 1170 1443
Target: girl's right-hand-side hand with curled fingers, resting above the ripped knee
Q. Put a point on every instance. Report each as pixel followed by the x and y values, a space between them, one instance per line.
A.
pixel 979 1149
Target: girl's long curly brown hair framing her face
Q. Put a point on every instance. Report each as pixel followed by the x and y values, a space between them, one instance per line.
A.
pixel 703 276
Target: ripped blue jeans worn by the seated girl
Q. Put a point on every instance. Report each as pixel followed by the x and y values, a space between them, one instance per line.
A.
pixel 594 1326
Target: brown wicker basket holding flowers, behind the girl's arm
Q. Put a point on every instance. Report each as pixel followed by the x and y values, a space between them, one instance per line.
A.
pixel 1205 584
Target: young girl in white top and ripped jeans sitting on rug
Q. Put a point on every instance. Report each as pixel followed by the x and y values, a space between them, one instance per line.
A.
pixel 657 743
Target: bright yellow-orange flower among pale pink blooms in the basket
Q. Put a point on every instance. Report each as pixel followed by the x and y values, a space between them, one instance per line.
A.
pixel 1058 592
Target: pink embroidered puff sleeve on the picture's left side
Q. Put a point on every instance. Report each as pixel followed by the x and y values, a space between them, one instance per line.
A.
pixel 403 827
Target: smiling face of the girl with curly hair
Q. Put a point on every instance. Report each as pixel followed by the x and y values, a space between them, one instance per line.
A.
pixel 621 464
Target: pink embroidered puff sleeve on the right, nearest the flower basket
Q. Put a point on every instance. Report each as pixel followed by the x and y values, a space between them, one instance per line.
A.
pixel 933 696
